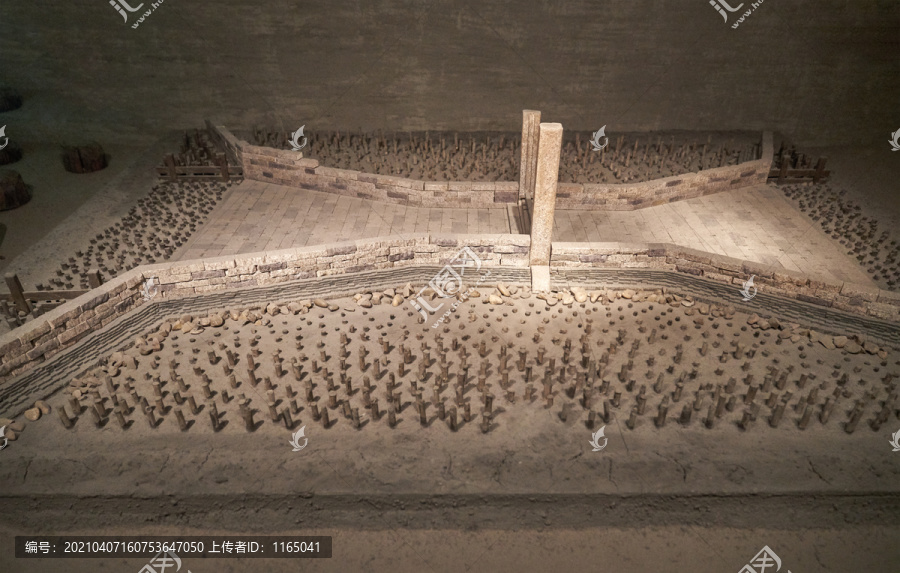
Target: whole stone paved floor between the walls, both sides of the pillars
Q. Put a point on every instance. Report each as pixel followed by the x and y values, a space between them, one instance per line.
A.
pixel 756 224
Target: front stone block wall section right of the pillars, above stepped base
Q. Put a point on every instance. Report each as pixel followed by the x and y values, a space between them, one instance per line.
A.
pixel 848 297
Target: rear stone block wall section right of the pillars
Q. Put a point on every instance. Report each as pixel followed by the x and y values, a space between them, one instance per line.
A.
pixel 629 196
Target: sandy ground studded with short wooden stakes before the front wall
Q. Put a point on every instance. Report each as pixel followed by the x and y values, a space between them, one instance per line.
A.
pixel 642 350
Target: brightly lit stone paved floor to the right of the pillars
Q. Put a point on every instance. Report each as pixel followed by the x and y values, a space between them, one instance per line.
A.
pixel 756 224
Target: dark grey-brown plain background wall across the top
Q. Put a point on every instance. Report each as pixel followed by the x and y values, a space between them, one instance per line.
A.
pixel 825 72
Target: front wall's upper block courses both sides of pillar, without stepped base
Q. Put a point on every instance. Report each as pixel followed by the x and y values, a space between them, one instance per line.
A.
pixel 67 324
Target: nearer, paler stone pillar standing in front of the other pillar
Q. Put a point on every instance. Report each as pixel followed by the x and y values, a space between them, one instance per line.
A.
pixel 546 176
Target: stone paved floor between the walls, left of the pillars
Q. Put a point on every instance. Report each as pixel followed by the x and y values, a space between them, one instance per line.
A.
pixel 259 216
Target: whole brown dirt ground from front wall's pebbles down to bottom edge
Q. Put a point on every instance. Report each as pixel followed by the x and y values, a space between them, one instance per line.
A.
pixel 530 493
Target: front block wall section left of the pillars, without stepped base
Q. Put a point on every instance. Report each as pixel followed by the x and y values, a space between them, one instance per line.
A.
pixel 65 325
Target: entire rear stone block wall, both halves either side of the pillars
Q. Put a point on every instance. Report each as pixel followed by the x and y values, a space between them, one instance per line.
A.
pixel 290 168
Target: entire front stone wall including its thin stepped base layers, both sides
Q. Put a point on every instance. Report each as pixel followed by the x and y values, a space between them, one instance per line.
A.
pixel 109 316
